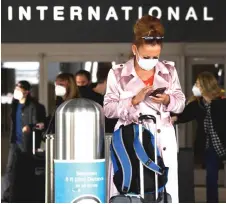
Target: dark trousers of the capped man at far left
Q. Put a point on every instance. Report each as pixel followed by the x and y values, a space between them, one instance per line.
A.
pixel 9 177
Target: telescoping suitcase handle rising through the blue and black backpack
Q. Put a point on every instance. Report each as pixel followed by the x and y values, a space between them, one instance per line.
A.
pixel 141 119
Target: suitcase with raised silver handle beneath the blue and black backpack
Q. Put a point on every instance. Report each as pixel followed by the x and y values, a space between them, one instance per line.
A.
pixel 142 198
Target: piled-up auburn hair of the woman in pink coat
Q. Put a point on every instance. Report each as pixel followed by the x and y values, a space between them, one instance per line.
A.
pixel 147 26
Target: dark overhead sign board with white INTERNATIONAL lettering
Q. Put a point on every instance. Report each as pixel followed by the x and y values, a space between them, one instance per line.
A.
pixel 48 21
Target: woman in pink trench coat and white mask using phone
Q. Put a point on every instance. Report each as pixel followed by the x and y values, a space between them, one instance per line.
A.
pixel 128 93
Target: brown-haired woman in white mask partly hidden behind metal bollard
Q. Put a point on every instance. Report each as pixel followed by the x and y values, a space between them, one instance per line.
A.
pixel 65 89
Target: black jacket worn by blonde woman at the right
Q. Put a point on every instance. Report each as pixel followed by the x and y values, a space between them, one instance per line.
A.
pixel 196 110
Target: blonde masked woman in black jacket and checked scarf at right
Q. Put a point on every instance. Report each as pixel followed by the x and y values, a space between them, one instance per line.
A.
pixel 208 108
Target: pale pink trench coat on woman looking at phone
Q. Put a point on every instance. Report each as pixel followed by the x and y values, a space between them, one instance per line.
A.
pixel 122 84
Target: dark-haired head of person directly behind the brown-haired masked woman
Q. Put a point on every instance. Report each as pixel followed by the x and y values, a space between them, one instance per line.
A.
pixel 83 78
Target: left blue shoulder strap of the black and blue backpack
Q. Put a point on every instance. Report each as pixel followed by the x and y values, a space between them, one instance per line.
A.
pixel 123 157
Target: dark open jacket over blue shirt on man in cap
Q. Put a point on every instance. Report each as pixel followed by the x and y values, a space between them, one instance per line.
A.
pixel 32 113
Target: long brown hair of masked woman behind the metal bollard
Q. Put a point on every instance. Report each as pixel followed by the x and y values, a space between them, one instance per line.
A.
pixel 72 89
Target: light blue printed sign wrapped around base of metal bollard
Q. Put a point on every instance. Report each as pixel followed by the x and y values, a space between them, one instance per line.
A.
pixel 80 181
